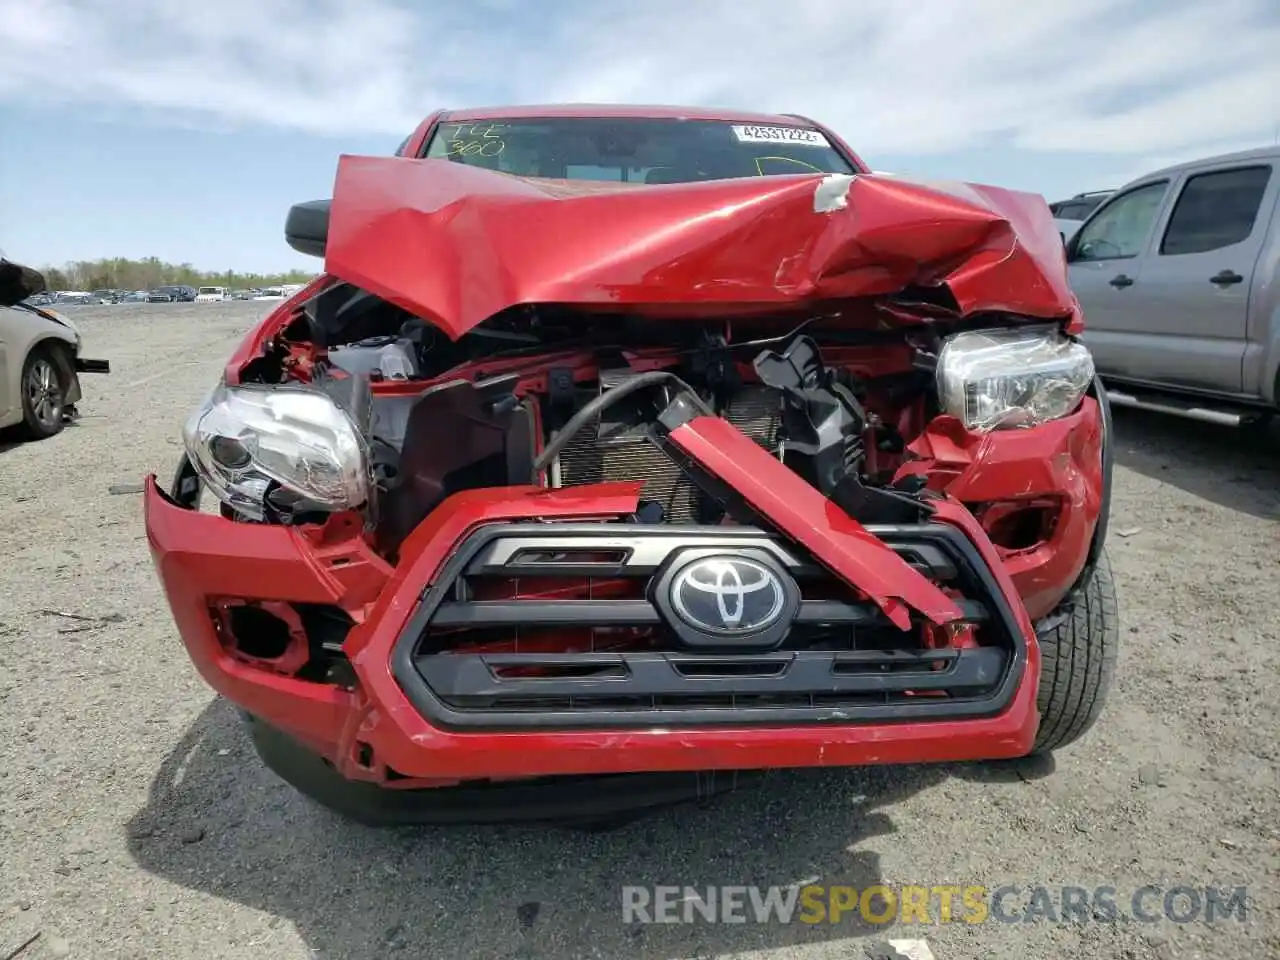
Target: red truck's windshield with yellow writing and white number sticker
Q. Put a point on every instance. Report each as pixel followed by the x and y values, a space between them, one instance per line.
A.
pixel 636 150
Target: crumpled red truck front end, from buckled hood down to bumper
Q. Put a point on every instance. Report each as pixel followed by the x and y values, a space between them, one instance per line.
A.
pixel 550 479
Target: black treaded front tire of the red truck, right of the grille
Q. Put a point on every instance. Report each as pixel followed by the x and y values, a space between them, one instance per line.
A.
pixel 1078 659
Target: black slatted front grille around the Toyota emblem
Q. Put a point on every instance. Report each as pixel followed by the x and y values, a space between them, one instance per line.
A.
pixel 559 625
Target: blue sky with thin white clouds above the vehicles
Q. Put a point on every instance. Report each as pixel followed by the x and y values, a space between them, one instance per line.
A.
pixel 185 130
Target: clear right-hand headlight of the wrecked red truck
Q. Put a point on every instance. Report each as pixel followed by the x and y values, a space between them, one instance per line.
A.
pixel 999 380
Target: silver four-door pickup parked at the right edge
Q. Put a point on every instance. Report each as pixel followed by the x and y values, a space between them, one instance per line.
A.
pixel 1180 278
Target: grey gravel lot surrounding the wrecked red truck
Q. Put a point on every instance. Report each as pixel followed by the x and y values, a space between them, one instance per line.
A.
pixel 135 820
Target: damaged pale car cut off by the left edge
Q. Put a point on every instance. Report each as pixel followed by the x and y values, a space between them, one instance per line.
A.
pixel 40 358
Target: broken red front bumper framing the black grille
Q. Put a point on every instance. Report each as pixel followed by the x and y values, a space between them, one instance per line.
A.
pixel 203 557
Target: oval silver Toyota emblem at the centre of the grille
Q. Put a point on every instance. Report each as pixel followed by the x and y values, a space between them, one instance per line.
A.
pixel 729 596
